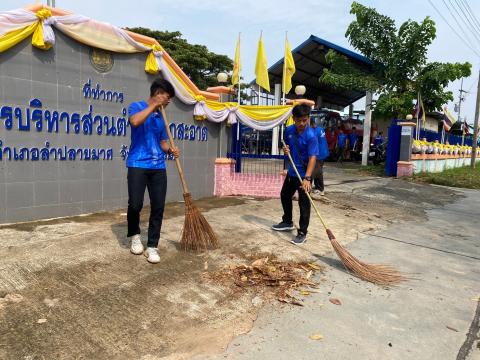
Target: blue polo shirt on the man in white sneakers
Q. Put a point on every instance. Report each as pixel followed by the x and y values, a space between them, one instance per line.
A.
pixel 145 151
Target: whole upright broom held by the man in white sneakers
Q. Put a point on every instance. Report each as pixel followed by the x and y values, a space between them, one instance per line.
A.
pixel 197 233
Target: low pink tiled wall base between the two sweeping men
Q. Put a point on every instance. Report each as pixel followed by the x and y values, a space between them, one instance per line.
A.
pixel 228 182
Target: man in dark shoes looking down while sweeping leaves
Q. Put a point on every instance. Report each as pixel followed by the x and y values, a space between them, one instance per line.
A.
pixel 301 144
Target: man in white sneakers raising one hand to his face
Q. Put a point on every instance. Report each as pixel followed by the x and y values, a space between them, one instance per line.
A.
pixel 146 166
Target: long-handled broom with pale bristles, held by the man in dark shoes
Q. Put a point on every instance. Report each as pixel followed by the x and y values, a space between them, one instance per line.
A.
pixel 374 273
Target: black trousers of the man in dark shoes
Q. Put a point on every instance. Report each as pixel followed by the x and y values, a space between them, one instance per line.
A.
pixel 290 186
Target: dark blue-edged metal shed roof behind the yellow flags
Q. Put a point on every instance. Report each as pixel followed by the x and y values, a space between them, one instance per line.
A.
pixel 309 63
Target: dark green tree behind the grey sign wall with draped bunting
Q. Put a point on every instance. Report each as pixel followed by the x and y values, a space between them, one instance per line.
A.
pixel 200 64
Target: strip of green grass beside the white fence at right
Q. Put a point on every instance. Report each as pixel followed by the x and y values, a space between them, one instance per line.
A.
pixel 464 177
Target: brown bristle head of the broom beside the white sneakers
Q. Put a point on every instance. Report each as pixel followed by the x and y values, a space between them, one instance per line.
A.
pixel 197 234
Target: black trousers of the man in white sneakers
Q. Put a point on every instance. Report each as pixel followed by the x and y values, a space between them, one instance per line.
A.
pixel 156 183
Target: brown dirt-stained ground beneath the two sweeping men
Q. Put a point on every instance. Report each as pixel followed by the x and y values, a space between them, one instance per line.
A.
pixel 70 289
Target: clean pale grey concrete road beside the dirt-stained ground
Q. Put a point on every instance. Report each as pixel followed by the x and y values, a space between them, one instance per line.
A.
pixel 432 317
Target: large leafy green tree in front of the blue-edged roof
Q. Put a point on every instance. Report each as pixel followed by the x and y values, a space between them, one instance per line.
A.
pixel 400 69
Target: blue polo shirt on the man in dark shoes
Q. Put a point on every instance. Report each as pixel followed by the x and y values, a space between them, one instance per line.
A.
pixel 307 147
